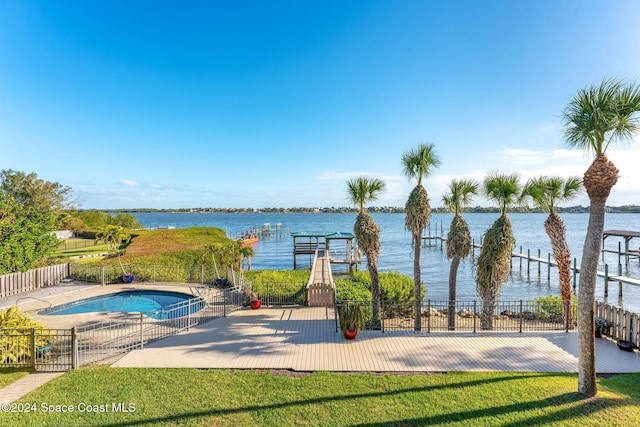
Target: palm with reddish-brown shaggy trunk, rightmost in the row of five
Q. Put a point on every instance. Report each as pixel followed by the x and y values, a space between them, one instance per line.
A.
pixel 546 193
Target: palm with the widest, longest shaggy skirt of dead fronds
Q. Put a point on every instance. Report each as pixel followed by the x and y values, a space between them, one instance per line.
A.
pixel 493 264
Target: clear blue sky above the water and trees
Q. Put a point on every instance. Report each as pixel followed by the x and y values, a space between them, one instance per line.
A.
pixel 171 104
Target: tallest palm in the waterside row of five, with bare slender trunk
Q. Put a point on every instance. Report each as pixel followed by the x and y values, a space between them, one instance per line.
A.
pixel 418 164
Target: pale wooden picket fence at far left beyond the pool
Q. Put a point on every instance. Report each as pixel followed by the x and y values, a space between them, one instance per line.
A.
pixel 17 283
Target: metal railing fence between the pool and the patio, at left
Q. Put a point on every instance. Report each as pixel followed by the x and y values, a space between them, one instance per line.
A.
pixel 64 349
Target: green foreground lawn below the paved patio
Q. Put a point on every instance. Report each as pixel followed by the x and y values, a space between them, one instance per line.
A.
pixel 242 398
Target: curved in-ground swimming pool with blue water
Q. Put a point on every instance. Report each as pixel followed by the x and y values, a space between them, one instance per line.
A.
pixel 156 304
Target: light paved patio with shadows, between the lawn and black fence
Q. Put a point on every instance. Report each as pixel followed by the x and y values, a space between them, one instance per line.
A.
pixel 305 339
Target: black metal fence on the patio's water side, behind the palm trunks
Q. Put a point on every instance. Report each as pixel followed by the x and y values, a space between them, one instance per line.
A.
pixel 507 316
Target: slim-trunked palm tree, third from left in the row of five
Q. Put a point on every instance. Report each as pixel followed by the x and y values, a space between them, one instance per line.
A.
pixel 460 194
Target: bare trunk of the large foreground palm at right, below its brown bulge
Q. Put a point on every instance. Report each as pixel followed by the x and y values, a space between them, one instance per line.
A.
pixel 586 299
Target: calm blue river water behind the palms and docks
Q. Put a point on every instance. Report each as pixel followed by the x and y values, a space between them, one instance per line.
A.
pixel 396 254
